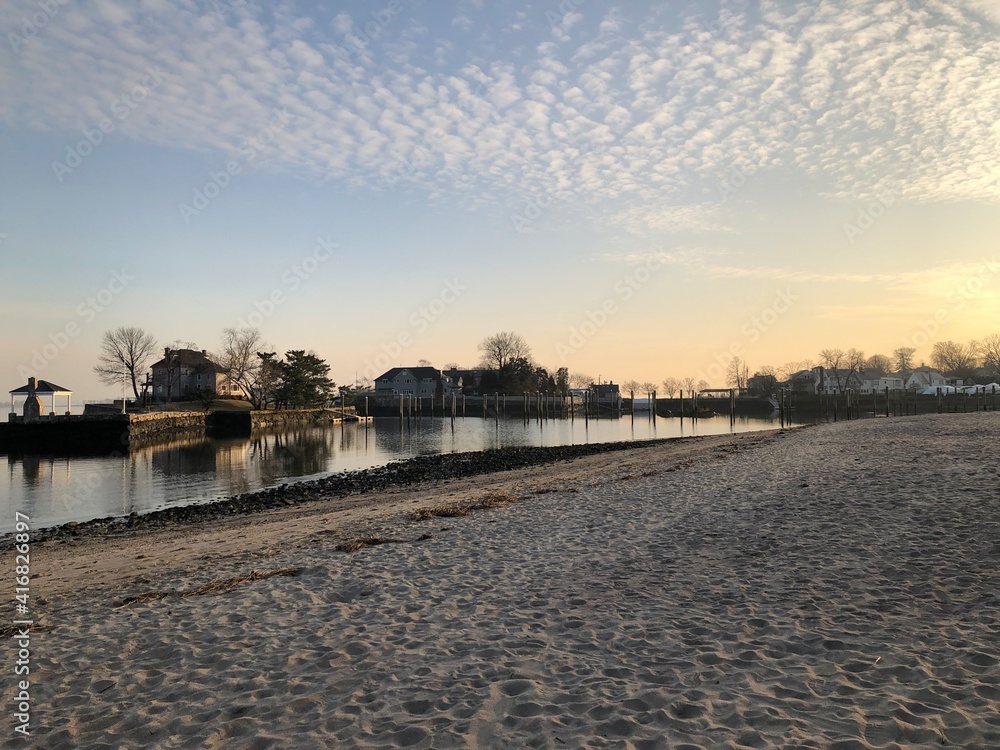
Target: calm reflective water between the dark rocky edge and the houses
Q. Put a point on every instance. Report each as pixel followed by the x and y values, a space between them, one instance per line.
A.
pixel 201 469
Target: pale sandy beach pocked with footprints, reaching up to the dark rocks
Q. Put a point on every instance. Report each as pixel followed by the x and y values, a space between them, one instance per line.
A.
pixel 835 586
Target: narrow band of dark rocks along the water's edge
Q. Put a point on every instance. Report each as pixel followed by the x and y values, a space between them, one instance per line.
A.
pixel 402 473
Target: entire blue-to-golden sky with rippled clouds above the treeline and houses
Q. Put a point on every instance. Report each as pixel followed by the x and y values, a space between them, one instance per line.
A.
pixel 639 189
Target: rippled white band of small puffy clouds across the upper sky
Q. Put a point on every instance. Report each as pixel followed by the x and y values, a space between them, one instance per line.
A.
pixel 864 97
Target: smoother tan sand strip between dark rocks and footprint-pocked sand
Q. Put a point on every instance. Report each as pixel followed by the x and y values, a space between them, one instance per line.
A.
pixel 147 554
